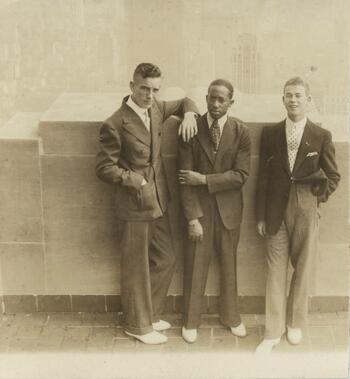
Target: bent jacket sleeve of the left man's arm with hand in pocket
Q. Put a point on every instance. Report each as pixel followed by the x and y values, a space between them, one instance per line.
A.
pixel 108 166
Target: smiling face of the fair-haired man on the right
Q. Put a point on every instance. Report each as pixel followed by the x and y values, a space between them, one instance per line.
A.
pixel 295 100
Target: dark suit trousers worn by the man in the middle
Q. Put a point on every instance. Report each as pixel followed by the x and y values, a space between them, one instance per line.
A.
pixel 218 239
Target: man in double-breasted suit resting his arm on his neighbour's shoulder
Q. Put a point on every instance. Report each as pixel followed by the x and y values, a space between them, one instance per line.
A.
pixel 130 160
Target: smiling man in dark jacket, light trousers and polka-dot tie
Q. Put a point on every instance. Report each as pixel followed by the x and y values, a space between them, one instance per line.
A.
pixel 297 172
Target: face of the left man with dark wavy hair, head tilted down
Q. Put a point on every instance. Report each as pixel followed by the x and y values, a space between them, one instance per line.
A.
pixel 143 90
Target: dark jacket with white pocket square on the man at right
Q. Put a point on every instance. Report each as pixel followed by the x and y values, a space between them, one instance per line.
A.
pixel 314 165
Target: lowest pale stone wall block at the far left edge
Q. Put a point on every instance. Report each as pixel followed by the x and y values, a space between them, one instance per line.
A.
pixel 22 268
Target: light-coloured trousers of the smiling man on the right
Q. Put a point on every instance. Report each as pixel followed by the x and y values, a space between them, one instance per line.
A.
pixel 295 240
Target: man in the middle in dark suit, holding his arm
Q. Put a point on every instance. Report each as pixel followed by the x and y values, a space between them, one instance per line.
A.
pixel 213 168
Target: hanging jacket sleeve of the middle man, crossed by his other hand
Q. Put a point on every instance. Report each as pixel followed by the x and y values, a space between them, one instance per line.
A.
pixel 188 194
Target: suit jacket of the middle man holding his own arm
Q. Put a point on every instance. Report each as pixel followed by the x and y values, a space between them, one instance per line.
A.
pixel 226 171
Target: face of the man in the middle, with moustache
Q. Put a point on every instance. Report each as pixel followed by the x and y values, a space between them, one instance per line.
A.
pixel 218 101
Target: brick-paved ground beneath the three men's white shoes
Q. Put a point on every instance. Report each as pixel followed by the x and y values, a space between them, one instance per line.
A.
pixel 86 332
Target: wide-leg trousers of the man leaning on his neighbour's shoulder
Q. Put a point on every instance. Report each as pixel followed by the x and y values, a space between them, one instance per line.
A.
pixel 147 267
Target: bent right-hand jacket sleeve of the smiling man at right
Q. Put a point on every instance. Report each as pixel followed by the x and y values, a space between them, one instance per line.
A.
pixel 329 166
